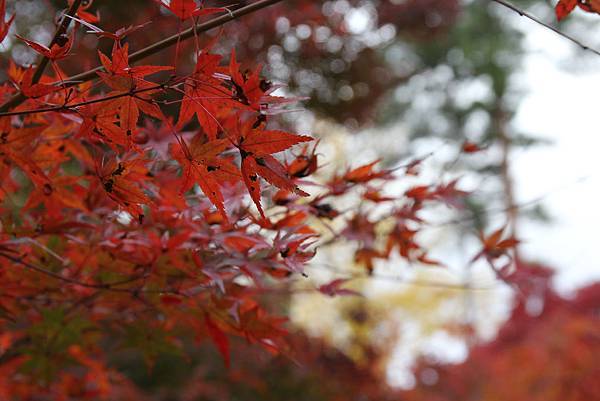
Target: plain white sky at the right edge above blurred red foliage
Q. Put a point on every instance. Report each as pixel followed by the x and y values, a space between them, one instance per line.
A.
pixel 561 105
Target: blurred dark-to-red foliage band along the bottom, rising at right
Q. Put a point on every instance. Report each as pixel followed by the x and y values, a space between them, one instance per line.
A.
pixel 546 350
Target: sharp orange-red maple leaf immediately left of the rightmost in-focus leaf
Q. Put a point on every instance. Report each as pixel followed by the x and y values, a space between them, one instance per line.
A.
pixel 201 164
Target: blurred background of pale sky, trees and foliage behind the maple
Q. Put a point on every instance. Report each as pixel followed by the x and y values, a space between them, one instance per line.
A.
pixel 398 80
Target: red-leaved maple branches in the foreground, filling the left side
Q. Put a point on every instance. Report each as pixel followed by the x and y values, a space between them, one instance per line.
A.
pixel 147 202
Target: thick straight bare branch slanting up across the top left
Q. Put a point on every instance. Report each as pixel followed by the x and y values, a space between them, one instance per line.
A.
pixel 154 48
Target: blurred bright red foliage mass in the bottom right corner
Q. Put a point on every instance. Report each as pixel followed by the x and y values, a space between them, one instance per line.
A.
pixel 548 350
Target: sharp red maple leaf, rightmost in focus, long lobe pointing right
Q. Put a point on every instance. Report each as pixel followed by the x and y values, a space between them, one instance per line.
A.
pixel 256 148
